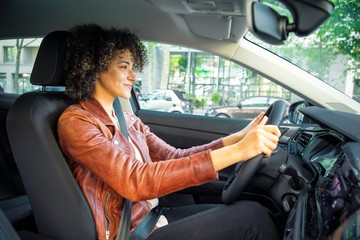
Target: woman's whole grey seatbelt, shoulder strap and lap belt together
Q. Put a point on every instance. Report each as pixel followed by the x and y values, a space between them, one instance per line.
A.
pixel 148 223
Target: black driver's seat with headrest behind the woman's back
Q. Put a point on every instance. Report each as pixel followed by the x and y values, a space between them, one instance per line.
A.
pixel 59 207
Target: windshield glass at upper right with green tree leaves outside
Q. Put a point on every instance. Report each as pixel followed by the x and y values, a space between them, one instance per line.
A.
pixel 332 53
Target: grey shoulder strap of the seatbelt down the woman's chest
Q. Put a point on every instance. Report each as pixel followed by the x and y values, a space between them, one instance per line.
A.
pixel 124 225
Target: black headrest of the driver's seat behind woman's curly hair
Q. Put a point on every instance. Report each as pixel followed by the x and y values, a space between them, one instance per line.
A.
pixel 48 68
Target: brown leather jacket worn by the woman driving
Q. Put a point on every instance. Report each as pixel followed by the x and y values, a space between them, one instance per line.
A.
pixel 104 164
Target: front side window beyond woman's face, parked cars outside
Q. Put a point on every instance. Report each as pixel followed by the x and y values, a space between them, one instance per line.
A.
pixel 202 81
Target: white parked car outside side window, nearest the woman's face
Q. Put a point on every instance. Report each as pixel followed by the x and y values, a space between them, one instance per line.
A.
pixel 173 101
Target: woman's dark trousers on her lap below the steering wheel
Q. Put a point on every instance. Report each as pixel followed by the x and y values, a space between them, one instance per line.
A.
pixel 240 220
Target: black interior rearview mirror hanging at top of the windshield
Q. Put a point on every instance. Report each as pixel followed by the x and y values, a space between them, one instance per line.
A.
pixel 271 27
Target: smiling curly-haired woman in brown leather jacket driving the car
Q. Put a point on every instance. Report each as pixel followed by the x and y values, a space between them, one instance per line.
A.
pixel 99 67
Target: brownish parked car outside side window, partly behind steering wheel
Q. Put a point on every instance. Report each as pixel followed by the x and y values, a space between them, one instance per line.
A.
pixel 247 108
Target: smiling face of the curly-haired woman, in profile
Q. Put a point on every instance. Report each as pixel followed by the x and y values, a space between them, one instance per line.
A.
pixel 118 79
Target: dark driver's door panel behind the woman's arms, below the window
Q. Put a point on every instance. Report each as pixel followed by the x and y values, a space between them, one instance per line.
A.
pixel 184 131
